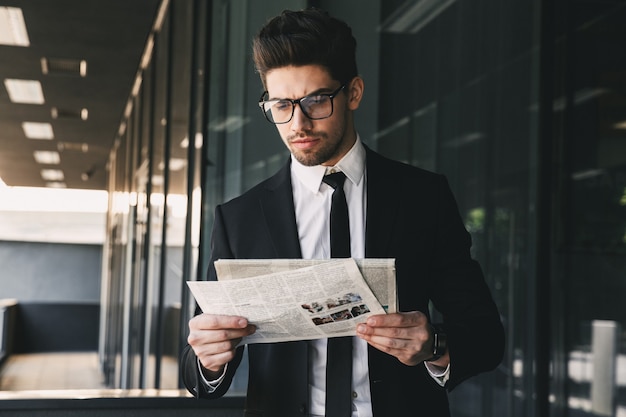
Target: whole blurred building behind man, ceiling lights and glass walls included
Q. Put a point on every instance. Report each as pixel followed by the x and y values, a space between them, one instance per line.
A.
pixel 123 123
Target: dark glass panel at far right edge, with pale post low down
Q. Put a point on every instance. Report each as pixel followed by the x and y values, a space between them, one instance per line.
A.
pixel 589 265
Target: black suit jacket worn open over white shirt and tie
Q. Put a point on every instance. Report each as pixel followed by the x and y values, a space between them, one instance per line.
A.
pixel 411 216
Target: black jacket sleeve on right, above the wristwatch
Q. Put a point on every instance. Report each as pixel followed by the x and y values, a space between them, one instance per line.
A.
pixel 470 316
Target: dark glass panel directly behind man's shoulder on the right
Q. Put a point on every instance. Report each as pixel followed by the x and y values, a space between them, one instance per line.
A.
pixel 458 90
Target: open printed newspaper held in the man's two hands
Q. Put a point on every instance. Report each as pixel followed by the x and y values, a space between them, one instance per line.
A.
pixel 324 299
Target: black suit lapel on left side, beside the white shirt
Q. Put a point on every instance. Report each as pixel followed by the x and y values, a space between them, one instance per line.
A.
pixel 279 214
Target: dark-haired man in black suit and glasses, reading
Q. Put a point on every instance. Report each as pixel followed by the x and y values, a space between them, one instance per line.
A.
pixel 402 364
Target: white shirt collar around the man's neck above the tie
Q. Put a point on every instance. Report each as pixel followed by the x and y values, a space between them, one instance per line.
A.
pixel 352 164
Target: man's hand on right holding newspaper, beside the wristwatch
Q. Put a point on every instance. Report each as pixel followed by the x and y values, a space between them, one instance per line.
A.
pixel 407 336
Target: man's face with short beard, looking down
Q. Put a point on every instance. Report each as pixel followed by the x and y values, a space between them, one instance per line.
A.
pixel 315 142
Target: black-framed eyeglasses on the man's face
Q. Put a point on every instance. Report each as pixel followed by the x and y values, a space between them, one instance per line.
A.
pixel 315 107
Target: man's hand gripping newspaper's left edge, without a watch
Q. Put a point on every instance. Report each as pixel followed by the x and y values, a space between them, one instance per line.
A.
pixel 214 338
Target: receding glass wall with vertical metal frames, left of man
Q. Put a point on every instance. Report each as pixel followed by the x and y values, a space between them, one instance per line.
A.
pixel 155 205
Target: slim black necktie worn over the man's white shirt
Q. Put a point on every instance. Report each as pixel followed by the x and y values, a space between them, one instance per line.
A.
pixel 339 353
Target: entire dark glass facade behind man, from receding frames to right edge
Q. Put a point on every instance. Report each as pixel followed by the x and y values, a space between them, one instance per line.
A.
pixel 520 103
